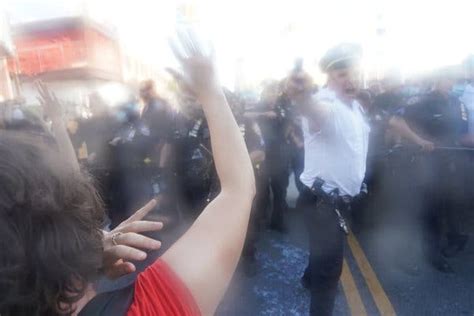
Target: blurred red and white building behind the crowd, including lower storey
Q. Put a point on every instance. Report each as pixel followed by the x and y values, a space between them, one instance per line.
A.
pixel 76 56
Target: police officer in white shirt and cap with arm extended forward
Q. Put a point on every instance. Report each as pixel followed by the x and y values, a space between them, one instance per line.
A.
pixel 335 140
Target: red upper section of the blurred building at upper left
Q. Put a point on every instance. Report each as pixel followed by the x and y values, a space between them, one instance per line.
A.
pixel 64 45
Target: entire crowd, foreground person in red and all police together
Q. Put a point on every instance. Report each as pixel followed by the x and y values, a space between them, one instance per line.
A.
pixel 222 172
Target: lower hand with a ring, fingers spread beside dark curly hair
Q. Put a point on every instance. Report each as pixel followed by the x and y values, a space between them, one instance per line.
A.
pixel 126 243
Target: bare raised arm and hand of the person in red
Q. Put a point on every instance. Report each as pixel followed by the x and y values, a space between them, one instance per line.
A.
pixel 206 256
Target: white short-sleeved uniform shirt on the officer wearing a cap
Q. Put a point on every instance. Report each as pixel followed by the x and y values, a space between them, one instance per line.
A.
pixel 338 152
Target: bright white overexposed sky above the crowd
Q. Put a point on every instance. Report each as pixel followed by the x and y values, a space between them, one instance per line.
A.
pixel 267 35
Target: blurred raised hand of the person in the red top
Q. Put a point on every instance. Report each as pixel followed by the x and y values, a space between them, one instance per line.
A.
pixel 198 70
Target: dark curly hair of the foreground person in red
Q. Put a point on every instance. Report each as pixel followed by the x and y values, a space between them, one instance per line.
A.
pixel 50 237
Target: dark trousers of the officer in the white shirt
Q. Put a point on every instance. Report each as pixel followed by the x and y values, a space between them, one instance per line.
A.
pixel 326 246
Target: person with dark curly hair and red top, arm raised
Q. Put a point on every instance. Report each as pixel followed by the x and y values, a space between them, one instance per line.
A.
pixel 53 248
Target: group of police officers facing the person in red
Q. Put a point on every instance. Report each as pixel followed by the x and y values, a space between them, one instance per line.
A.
pixel 402 151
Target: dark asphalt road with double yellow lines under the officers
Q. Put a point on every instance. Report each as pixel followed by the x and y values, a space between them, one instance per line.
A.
pixel 384 274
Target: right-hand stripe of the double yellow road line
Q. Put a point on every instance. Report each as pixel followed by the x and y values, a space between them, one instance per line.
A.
pixel 381 300
